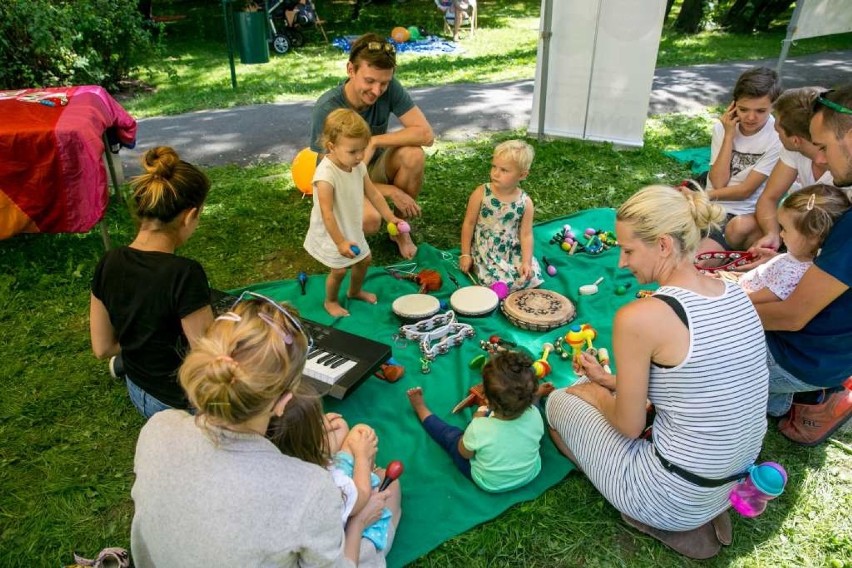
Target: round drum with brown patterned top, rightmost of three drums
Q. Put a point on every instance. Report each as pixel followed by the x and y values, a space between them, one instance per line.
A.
pixel 538 310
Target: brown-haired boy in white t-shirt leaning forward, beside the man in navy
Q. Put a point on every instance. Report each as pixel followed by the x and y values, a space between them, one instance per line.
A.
pixel 795 169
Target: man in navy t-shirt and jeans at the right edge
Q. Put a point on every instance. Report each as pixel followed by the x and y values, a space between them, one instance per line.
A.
pixel 809 335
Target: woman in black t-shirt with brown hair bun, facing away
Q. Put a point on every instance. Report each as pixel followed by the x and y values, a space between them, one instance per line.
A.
pixel 149 305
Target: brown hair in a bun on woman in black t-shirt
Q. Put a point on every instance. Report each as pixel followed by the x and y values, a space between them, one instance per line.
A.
pixel 169 186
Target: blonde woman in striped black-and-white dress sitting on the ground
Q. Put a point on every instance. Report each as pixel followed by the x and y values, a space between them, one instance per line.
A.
pixel 696 349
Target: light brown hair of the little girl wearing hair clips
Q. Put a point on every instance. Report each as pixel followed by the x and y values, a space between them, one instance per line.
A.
pixel 815 209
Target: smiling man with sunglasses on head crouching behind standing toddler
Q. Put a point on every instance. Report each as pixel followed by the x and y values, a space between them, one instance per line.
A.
pixel 395 160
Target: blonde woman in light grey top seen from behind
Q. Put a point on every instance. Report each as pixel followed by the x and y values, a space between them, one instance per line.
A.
pixel 213 490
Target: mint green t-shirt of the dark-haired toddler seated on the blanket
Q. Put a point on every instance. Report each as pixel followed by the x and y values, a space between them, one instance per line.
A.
pixel 507 455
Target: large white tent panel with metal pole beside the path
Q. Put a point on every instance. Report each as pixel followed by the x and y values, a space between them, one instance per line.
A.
pixel 599 70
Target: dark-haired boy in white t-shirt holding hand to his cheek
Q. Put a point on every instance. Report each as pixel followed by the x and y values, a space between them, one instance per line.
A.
pixel 744 147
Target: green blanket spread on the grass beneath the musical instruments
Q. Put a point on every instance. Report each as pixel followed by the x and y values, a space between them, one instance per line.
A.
pixel 438 501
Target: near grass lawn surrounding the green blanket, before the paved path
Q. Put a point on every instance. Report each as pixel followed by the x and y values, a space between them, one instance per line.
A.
pixel 69 431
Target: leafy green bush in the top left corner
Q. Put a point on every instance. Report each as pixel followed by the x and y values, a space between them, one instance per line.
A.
pixel 70 42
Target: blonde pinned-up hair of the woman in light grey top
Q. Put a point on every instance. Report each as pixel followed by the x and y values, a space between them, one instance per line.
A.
pixel 244 362
